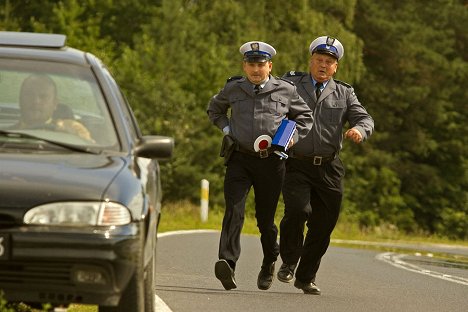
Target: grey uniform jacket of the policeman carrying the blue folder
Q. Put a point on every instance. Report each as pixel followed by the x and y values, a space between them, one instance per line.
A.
pixel 252 115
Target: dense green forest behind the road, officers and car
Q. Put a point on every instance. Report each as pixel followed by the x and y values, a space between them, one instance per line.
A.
pixel 407 60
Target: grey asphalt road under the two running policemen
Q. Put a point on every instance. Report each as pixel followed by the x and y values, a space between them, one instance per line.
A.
pixel 351 279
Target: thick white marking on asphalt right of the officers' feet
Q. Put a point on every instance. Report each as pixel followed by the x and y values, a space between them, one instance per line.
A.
pixel 396 260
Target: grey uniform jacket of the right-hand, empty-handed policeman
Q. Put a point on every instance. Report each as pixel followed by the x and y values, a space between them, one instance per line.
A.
pixel 337 105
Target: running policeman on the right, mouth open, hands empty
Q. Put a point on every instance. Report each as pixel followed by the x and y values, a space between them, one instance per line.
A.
pixel 313 188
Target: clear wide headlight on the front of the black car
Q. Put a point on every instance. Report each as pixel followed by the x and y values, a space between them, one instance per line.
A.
pixel 79 214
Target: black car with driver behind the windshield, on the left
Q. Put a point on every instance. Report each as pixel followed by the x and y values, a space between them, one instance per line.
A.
pixel 80 191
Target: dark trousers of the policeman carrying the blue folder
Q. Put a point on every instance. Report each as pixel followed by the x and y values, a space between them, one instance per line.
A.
pixel 266 176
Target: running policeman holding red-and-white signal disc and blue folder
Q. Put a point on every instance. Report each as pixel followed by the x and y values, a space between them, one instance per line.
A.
pixel 257 103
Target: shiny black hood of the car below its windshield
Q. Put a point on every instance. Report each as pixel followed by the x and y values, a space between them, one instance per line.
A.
pixel 28 180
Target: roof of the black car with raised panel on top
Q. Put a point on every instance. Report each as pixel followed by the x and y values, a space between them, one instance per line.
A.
pixel 39 46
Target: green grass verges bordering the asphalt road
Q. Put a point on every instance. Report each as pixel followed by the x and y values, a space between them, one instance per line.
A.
pixel 186 216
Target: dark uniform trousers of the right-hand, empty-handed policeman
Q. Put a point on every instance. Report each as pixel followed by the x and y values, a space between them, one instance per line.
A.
pixel 312 195
